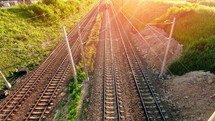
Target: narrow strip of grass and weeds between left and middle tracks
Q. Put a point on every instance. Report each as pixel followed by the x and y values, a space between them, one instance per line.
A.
pixel 90 52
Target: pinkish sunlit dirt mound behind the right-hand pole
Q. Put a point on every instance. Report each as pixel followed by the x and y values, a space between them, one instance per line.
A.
pixel 151 43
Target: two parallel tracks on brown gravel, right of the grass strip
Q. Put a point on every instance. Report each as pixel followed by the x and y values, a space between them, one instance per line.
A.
pixel 141 103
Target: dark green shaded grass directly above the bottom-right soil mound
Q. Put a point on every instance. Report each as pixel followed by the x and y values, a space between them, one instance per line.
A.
pixel 200 56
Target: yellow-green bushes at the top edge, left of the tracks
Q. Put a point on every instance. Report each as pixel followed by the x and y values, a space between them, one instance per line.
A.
pixel 49 9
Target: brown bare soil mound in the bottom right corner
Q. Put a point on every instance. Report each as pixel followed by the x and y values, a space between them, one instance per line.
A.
pixel 192 95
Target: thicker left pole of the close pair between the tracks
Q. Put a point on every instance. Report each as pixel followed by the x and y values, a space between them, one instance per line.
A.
pixel 70 54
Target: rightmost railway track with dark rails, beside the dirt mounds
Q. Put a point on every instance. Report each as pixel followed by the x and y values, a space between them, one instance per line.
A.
pixel 149 99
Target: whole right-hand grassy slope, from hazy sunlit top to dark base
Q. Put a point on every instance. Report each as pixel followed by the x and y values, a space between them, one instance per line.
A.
pixel 195 28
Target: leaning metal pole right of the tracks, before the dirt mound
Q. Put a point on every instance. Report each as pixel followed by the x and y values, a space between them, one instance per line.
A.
pixel 167 47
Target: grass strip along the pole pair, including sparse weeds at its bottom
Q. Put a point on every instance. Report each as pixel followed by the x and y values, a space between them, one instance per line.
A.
pixel 74 90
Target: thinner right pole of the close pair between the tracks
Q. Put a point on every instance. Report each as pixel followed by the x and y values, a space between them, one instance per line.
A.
pixel 82 52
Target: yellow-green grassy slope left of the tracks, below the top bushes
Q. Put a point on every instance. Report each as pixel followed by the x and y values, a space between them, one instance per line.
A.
pixel 24 41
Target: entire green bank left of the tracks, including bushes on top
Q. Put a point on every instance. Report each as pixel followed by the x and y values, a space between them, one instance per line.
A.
pixel 29 33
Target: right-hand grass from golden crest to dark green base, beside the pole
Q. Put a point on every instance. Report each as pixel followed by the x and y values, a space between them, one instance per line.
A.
pixel 195 29
